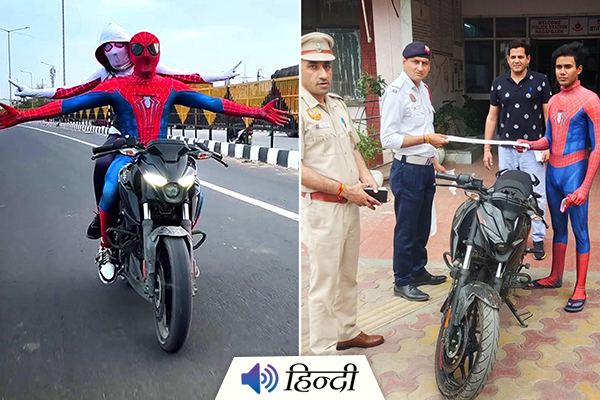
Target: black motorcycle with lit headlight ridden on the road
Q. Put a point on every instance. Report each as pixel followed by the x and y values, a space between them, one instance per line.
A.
pixel 160 201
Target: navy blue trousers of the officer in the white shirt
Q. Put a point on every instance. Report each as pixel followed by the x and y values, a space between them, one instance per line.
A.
pixel 413 188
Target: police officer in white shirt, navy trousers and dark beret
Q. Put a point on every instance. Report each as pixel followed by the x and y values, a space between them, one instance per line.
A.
pixel 407 129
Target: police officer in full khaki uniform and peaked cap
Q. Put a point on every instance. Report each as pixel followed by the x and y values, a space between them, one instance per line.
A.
pixel 333 176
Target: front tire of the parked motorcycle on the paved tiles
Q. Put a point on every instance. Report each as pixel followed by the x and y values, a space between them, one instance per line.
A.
pixel 463 366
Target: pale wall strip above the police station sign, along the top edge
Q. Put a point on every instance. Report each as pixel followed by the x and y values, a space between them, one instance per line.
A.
pixel 514 8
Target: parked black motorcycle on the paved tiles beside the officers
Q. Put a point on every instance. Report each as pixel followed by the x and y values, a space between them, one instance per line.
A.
pixel 487 246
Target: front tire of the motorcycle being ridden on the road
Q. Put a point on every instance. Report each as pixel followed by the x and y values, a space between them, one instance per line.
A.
pixel 173 294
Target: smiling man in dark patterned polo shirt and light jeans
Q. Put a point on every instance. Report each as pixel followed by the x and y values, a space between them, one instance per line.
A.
pixel 518 102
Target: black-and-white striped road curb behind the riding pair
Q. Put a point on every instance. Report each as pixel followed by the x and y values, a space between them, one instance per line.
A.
pixel 281 157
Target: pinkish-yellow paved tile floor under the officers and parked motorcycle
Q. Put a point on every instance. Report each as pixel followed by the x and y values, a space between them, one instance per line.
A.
pixel 556 357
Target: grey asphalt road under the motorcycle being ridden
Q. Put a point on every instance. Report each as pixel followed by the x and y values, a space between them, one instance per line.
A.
pixel 64 335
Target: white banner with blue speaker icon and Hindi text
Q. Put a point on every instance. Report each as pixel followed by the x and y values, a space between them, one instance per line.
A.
pixel 300 377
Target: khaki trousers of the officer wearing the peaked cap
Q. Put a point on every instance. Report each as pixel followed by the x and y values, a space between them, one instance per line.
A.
pixel 331 232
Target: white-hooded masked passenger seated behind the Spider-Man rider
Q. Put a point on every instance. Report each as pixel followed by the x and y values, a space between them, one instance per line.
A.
pixel 113 54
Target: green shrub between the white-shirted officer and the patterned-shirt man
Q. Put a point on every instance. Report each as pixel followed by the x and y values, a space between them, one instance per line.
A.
pixel 449 114
